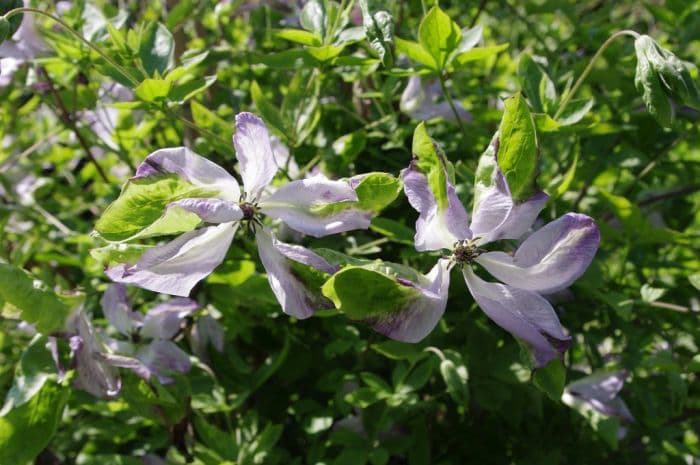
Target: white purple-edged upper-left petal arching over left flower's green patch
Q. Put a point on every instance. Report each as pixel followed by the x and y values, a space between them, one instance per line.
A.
pixel 194 168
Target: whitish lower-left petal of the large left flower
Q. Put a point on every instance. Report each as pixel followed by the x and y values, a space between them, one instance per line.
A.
pixel 174 268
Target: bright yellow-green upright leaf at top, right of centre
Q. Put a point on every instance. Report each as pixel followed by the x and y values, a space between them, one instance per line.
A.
pixel 439 36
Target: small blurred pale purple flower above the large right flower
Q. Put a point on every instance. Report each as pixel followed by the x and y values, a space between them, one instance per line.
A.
pixel 420 102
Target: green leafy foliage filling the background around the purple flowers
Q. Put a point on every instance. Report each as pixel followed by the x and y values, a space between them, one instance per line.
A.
pixel 329 390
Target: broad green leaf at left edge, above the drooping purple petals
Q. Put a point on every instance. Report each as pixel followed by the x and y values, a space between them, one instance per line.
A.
pixel 21 292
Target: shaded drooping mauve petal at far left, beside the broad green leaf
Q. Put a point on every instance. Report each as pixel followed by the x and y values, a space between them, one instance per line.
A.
pixel 94 375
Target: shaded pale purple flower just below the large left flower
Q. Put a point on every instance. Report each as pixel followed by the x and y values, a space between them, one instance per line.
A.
pixel 161 356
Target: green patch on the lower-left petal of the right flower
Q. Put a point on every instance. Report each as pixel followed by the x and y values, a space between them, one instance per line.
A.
pixel 363 293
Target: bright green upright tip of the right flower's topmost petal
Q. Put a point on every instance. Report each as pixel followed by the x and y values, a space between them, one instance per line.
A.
pixel 518 151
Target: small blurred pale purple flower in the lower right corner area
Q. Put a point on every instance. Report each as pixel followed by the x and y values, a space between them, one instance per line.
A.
pixel 599 392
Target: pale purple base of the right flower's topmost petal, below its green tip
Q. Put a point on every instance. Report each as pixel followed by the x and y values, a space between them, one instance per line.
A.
pixel 496 216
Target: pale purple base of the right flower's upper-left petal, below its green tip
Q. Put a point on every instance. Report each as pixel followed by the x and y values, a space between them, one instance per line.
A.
pixel 435 229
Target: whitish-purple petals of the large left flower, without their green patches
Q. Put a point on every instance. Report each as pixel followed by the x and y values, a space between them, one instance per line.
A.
pixel 175 267
